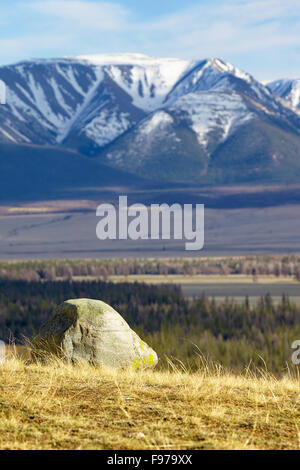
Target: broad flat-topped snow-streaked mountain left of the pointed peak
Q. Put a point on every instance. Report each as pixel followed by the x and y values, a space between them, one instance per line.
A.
pixel 95 98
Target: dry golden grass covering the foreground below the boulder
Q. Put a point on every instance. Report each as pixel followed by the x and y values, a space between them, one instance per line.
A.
pixel 63 407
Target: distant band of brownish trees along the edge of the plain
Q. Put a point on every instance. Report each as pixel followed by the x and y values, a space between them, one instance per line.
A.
pixel 51 270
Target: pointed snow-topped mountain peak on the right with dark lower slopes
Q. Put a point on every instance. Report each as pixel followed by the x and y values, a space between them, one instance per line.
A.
pixel 212 111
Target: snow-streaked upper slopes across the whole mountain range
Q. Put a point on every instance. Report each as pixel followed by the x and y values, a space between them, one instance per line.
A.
pixel 87 102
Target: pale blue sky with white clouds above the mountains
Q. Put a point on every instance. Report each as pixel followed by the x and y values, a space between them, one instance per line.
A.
pixel 261 37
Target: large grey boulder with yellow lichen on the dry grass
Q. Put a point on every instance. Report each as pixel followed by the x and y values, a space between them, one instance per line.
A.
pixel 92 331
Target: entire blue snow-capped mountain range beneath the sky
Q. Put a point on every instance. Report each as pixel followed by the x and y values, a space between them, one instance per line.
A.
pixel 177 119
